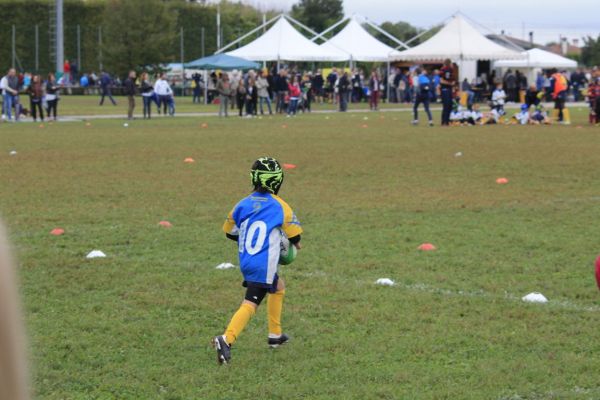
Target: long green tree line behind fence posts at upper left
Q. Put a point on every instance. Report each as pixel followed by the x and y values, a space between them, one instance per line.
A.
pixel 118 34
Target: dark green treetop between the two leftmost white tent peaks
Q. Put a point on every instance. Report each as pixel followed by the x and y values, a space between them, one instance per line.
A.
pixel 318 14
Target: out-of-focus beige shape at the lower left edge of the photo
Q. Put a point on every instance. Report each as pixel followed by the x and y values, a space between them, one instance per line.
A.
pixel 13 378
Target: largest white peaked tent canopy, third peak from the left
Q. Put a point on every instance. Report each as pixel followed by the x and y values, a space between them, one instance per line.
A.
pixel 458 40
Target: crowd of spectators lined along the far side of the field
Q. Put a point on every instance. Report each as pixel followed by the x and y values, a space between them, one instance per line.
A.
pixel 290 91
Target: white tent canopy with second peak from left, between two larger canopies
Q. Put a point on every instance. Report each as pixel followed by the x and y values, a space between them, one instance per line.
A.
pixel 360 44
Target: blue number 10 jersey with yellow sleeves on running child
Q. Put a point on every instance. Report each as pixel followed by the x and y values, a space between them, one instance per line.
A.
pixel 259 221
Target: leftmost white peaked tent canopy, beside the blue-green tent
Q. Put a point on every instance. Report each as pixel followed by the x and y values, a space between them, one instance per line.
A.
pixel 283 42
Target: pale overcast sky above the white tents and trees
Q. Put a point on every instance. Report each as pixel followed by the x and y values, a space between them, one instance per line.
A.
pixel 546 18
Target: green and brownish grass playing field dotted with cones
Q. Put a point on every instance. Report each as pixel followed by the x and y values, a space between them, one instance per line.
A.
pixel 137 324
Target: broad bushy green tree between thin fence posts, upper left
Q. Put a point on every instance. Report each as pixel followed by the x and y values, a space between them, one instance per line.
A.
pixel 137 34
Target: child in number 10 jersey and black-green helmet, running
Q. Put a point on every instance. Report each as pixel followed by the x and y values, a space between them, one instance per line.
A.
pixel 258 223
